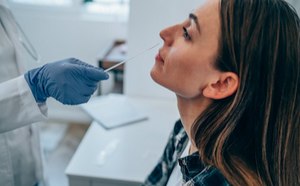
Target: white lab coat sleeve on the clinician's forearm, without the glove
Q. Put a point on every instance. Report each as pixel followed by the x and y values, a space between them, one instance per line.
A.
pixel 18 106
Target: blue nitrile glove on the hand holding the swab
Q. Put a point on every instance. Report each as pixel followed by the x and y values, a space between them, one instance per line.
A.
pixel 69 81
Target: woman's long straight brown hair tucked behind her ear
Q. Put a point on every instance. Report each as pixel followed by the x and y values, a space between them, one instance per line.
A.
pixel 253 137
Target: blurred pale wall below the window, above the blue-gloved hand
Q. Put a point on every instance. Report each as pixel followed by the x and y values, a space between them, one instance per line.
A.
pixel 58 33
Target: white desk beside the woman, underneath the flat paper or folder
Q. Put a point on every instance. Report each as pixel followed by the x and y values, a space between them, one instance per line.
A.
pixel 126 155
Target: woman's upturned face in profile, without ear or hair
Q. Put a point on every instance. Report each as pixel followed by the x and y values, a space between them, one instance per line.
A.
pixel 185 63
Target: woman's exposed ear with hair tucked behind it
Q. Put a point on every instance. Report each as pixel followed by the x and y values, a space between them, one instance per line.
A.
pixel 225 86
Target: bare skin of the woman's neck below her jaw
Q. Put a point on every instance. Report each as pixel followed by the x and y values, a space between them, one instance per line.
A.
pixel 189 110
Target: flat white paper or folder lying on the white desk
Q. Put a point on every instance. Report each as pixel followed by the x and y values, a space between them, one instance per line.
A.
pixel 113 110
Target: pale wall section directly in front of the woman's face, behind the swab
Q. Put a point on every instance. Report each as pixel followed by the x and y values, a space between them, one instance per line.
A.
pixel 146 19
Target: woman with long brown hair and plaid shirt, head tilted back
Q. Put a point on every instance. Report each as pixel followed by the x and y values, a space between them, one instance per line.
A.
pixel 234 66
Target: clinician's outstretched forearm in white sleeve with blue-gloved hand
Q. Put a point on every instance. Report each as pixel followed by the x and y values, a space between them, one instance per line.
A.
pixel 69 81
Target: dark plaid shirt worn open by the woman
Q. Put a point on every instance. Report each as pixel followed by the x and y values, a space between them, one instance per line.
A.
pixel 194 172
